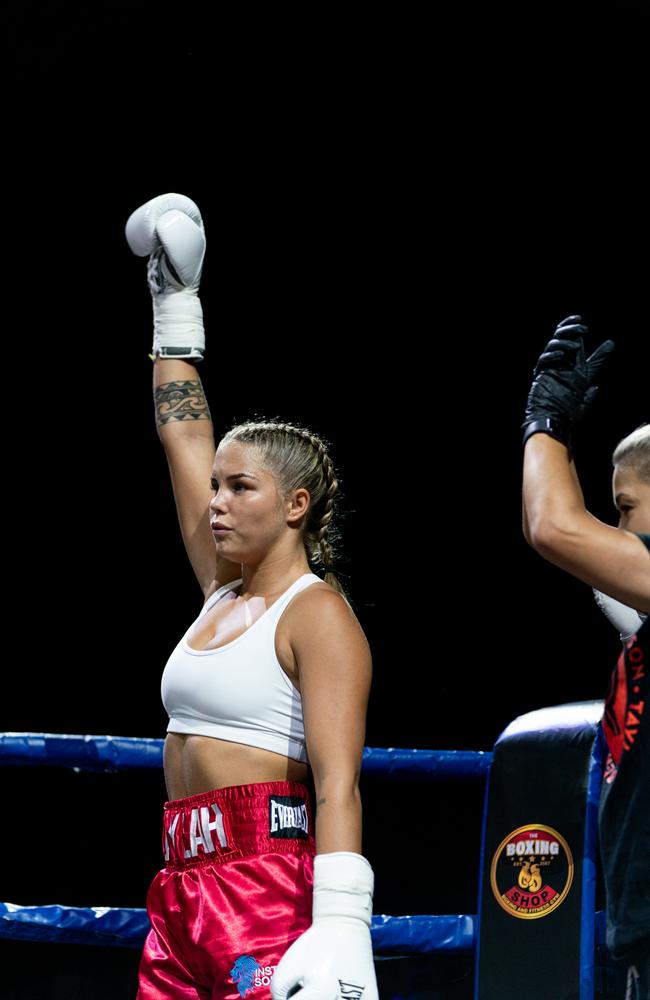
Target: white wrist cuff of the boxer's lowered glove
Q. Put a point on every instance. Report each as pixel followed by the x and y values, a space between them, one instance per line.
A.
pixel 343 887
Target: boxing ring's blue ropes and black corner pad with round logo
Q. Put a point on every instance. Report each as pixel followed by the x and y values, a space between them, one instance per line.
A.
pixel 520 908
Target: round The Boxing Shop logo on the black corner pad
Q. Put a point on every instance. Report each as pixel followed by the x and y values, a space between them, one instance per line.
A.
pixel 532 871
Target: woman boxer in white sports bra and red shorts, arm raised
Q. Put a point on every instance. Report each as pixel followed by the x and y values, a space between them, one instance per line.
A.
pixel 266 691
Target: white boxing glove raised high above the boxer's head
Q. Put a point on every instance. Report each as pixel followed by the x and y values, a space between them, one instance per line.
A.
pixel 170 230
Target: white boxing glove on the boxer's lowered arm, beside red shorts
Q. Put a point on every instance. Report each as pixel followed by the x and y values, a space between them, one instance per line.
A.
pixel 332 960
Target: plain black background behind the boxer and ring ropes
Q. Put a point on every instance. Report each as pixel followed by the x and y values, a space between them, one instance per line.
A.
pixel 397 215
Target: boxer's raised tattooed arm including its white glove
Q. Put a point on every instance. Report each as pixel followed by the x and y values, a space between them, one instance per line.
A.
pixel 169 229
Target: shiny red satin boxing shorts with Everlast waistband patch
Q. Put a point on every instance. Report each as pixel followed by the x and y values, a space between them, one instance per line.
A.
pixel 235 892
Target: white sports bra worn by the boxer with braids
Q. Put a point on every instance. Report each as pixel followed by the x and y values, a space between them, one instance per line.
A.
pixel 238 692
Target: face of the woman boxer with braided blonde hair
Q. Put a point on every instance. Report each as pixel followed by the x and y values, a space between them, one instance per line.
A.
pixel 247 501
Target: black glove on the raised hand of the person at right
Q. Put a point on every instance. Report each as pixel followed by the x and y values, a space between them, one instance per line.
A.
pixel 564 380
